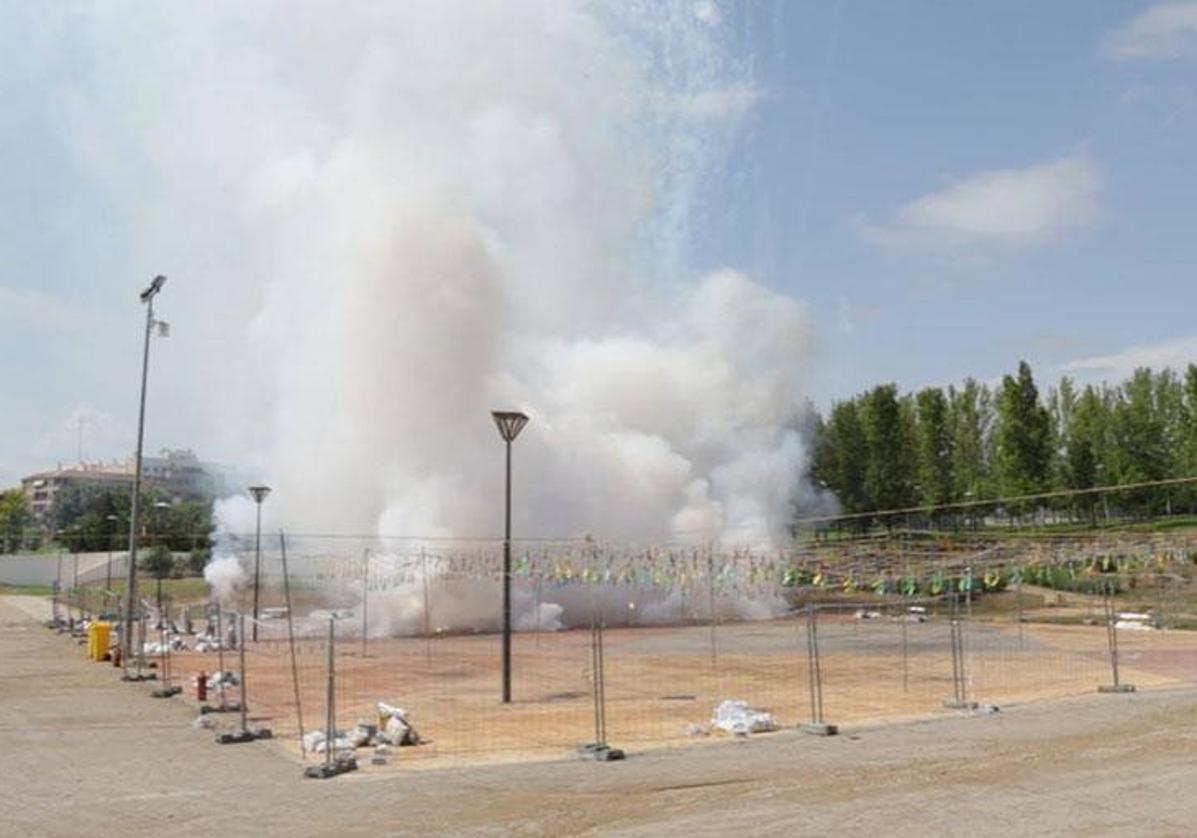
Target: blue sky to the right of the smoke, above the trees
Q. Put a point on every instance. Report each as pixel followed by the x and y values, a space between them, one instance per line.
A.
pixel 871 108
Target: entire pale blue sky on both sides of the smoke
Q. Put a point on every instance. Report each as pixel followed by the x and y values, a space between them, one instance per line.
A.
pixel 949 187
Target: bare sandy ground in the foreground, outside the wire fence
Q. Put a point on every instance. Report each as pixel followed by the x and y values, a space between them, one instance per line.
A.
pixel 87 755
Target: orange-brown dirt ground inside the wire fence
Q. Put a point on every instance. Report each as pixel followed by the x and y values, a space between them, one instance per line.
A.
pixel 661 682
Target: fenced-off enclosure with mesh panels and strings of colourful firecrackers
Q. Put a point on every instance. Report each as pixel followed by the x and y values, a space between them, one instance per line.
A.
pixel 854 634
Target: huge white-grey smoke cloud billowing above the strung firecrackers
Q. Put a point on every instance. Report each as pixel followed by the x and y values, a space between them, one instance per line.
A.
pixel 382 221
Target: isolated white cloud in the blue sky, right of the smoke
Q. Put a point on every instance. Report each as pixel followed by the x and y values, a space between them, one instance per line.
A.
pixel 1002 208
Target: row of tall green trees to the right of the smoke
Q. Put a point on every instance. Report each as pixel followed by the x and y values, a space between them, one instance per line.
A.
pixel 886 451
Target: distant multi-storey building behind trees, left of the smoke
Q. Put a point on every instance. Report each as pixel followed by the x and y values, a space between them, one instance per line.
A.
pixel 179 475
